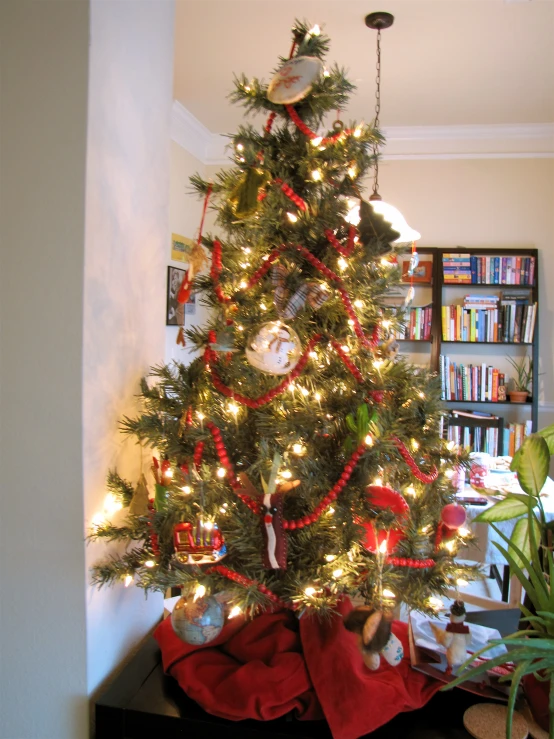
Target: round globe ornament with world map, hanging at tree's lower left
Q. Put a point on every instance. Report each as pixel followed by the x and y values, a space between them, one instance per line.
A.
pixel 197 620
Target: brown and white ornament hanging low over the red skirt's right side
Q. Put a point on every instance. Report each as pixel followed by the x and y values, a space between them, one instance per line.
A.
pixel 375 637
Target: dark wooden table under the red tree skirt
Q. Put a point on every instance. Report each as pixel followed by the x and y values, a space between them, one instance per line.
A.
pixel 143 703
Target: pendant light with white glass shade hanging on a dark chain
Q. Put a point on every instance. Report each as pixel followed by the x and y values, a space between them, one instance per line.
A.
pixel 379 21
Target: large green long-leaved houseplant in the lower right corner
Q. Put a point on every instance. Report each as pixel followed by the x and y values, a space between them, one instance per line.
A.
pixel 528 552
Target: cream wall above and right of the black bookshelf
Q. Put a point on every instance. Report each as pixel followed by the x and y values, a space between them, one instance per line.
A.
pixel 491 203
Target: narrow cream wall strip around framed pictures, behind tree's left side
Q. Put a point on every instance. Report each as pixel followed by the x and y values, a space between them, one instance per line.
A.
pixel 185 211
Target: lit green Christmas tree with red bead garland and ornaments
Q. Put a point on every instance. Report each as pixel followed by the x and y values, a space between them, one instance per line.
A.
pixel 299 458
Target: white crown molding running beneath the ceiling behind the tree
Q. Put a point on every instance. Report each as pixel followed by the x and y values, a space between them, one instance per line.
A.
pixel 503 141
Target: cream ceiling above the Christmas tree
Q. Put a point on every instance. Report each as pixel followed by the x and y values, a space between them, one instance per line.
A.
pixel 444 62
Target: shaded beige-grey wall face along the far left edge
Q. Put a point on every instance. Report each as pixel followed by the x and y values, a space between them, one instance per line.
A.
pixel 43 118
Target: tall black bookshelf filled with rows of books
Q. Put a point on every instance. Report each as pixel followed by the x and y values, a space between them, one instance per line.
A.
pixel 470 338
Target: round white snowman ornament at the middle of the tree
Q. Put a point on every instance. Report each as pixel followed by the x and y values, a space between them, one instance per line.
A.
pixel 274 348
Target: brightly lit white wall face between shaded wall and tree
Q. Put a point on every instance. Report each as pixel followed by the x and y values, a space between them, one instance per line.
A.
pixel 126 245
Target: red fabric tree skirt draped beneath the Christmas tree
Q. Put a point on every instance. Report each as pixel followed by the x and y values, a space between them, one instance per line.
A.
pixel 264 668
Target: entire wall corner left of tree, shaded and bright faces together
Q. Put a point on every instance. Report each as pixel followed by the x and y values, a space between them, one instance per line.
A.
pixel 81 318
